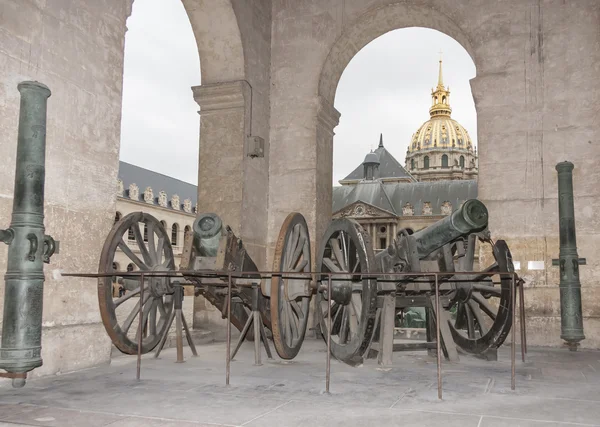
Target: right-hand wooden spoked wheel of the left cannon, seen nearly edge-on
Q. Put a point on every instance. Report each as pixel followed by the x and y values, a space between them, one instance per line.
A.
pixel 290 296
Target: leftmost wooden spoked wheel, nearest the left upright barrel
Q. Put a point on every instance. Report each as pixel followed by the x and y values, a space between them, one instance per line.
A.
pixel 146 243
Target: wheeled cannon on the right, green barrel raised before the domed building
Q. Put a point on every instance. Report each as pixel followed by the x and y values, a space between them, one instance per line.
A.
pixel 476 308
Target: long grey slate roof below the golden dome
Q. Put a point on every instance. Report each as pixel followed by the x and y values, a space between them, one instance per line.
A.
pixel 392 197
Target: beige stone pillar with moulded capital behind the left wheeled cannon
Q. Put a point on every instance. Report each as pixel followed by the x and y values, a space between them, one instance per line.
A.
pixel 226 172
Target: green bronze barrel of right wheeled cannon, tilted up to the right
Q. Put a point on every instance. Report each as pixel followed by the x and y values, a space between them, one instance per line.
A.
pixel 471 217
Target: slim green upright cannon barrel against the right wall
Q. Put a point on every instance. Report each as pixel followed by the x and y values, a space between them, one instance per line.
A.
pixel 568 261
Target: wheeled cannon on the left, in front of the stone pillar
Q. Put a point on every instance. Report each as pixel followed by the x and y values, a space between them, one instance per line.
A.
pixel 210 247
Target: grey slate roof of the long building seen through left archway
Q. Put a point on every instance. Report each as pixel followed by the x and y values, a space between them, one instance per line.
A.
pixel 131 174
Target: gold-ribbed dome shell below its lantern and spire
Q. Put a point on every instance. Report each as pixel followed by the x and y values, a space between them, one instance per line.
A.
pixel 440 132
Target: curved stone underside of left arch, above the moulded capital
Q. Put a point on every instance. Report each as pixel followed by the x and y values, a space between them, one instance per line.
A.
pixel 219 40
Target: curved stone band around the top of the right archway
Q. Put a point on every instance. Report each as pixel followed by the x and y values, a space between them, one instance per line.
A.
pixel 375 23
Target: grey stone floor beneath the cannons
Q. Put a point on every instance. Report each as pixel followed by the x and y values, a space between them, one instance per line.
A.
pixel 554 388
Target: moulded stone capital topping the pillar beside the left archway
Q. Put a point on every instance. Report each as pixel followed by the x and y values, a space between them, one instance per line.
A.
pixel 222 96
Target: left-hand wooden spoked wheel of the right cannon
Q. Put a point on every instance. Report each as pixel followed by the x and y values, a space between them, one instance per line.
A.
pixel 346 248
